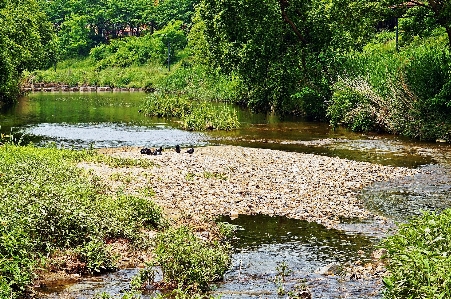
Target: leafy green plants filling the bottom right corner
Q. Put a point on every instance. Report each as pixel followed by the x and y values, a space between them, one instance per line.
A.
pixel 419 258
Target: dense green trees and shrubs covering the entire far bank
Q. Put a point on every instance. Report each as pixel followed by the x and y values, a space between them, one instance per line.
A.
pixel 380 66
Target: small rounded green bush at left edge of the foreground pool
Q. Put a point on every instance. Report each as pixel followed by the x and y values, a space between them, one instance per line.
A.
pixel 189 261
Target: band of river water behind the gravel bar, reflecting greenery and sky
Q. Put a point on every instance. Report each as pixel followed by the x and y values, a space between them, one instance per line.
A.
pixel 94 119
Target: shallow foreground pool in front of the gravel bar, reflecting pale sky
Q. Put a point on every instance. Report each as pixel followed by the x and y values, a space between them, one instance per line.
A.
pixel 263 243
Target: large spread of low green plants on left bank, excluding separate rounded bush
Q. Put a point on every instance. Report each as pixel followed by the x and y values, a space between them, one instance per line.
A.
pixel 49 204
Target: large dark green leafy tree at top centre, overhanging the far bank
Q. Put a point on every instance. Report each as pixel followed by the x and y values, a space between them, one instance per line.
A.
pixel 284 51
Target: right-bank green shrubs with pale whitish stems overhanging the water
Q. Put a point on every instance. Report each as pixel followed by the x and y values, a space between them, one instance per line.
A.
pixel 404 92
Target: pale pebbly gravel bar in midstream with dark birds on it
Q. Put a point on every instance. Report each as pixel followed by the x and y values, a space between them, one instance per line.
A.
pixel 231 180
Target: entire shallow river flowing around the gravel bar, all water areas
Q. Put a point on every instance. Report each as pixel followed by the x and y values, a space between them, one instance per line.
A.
pixel 96 120
